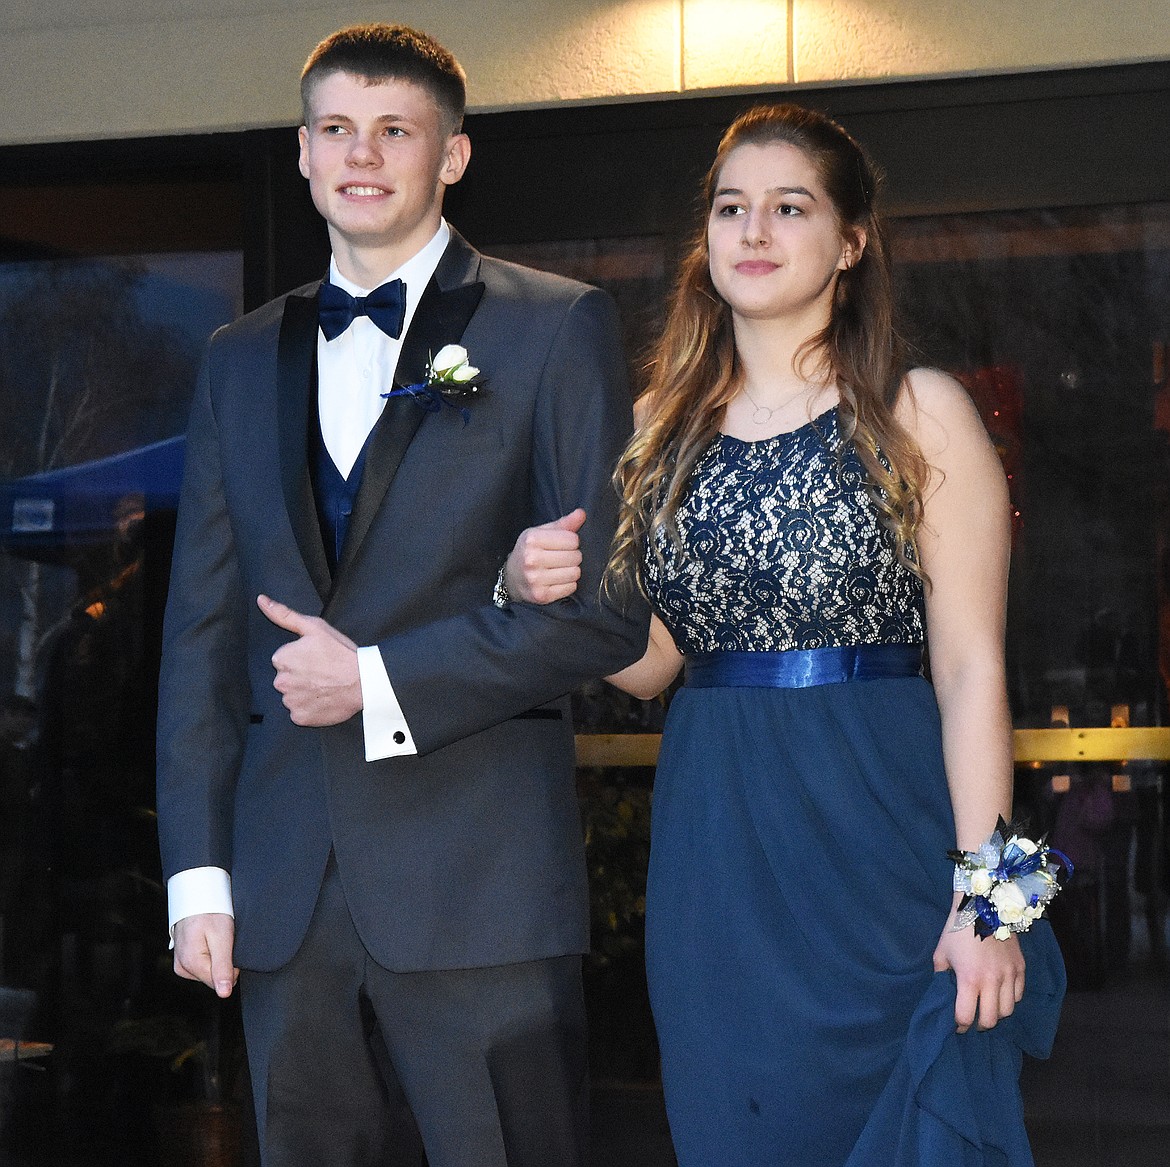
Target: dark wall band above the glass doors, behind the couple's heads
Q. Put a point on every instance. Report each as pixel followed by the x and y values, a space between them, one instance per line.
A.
pixel 1044 140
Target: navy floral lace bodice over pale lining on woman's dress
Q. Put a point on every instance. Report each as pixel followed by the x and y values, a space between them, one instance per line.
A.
pixel 782 548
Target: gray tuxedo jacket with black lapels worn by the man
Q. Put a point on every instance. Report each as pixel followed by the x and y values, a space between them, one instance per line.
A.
pixel 469 854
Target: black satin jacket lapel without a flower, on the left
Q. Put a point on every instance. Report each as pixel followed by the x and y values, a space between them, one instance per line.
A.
pixel 297 365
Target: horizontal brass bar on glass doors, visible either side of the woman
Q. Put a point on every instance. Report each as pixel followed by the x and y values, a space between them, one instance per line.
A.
pixel 1089 745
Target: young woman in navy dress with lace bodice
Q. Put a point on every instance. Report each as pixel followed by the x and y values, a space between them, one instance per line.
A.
pixel 806 513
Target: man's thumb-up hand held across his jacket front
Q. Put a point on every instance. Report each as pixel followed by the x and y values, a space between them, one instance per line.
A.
pixel 318 674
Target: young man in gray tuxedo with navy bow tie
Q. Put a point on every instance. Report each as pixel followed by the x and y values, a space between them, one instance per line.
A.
pixel 363 759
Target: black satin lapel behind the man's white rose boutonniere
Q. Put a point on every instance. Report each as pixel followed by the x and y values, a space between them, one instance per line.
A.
pixel 442 319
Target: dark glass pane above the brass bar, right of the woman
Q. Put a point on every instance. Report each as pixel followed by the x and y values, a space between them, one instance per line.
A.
pixel 1057 322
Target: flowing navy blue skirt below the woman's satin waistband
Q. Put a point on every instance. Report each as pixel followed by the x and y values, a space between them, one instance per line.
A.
pixel 799 887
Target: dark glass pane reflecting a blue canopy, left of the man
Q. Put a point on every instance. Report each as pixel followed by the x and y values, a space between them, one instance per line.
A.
pixel 98 366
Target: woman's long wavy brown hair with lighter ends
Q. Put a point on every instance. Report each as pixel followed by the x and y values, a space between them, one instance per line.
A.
pixel 694 370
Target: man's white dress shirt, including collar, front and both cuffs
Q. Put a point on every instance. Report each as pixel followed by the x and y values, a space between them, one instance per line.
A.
pixel 354 370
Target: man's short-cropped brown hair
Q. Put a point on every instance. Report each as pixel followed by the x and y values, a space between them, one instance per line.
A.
pixel 380 52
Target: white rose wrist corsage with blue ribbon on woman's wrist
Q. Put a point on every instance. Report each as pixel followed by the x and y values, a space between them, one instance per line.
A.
pixel 1008 883
